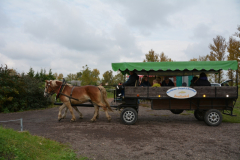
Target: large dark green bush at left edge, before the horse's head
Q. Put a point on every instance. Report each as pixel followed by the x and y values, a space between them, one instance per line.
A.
pixel 20 93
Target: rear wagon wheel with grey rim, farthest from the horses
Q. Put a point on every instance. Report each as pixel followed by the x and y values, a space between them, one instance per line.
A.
pixel 213 117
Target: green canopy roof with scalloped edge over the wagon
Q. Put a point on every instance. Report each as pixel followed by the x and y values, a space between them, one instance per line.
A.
pixel 188 66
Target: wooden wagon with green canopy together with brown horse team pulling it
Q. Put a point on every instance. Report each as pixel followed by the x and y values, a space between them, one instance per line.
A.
pixel 206 101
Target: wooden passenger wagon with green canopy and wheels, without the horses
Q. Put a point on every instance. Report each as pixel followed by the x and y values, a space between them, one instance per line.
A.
pixel 206 101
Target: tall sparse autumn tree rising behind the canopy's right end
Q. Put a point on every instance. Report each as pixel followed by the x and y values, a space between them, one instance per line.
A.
pixel 218 53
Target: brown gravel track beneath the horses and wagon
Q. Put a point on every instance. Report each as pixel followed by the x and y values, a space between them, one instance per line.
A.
pixel 156 135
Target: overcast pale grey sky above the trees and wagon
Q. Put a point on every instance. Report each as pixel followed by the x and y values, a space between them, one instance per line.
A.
pixel 66 35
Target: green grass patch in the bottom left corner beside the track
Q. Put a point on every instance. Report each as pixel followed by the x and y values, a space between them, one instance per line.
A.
pixel 23 146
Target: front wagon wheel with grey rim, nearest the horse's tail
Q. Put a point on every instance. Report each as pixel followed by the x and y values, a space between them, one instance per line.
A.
pixel 129 116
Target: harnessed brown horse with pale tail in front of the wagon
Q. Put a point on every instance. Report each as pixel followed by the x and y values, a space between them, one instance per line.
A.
pixel 77 95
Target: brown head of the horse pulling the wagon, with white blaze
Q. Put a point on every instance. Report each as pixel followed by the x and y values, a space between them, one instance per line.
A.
pixel 51 87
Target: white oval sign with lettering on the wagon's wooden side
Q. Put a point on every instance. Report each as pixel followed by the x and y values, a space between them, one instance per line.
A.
pixel 181 92
